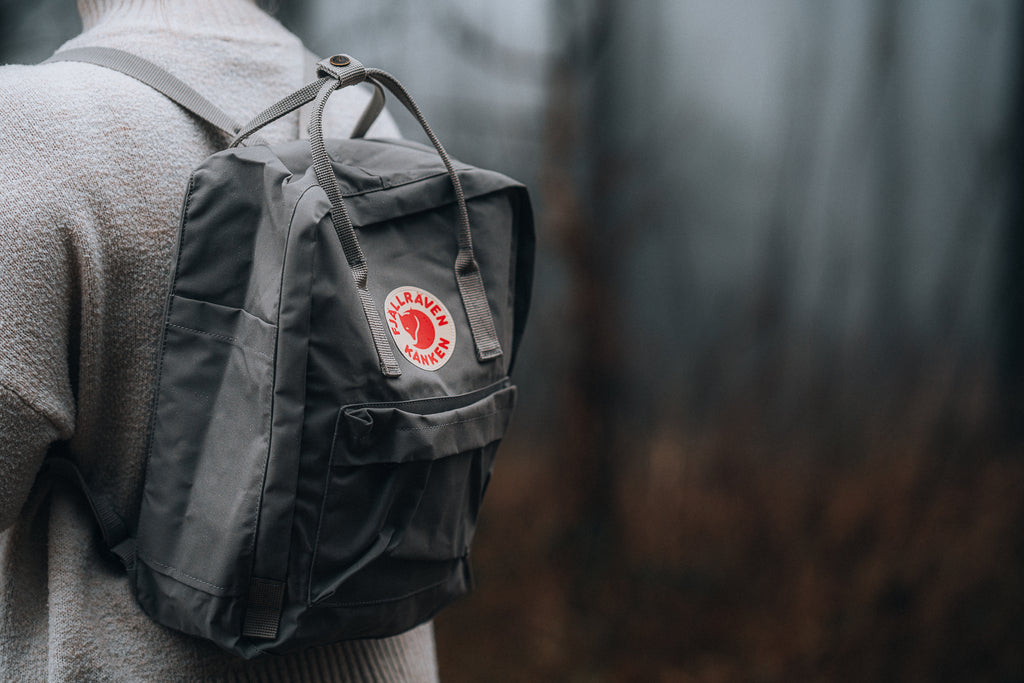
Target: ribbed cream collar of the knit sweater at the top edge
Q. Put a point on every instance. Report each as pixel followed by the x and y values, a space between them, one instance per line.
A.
pixel 184 17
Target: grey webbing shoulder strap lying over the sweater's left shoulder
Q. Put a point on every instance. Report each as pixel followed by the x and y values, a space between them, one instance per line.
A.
pixel 157 78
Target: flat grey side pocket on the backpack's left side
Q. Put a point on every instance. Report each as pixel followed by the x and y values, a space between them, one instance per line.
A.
pixel 211 435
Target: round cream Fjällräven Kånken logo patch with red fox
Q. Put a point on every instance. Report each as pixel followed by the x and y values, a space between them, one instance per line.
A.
pixel 422 327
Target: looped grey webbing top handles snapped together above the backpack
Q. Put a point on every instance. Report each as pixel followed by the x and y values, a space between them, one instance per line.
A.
pixel 338 72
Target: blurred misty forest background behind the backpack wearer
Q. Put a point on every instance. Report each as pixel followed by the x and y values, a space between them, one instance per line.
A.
pixel 772 422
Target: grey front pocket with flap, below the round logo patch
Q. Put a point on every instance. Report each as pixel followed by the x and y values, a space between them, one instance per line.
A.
pixel 404 492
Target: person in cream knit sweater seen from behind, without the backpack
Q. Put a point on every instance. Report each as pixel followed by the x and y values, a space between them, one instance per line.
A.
pixel 94 175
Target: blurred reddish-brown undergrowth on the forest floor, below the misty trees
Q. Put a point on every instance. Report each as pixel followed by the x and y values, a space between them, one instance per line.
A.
pixel 738 554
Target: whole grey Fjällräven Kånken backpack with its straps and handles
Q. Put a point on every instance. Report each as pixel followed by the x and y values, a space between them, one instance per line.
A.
pixel 333 380
